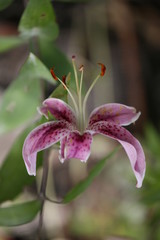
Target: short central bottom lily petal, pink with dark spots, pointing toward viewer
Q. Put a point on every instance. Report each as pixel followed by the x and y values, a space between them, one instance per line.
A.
pixel 76 146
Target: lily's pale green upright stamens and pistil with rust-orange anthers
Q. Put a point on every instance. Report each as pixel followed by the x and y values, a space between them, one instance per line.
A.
pixel 80 103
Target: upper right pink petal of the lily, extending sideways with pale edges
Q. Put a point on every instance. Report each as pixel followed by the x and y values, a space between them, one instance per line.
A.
pixel 114 112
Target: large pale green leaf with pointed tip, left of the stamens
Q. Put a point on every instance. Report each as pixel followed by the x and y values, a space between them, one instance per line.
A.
pixel 20 101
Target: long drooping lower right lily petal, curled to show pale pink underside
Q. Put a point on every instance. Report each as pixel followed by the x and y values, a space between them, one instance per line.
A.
pixel 130 144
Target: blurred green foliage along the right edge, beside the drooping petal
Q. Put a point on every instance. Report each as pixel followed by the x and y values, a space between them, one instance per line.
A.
pixel 150 195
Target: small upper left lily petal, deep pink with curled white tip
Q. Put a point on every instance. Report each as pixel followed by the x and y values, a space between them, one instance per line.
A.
pixel 59 109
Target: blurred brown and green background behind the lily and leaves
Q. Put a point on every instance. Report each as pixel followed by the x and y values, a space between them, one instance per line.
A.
pixel 125 36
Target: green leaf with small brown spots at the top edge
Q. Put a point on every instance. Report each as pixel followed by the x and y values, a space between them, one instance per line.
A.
pixel 38 19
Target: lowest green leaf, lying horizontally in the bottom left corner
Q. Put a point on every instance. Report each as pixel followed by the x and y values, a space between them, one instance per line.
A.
pixel 19 214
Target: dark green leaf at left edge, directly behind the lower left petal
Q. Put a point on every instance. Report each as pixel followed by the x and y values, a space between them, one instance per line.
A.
pixel 13 173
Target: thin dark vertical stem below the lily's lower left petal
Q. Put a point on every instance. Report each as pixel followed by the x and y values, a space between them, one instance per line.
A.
pixel 42 193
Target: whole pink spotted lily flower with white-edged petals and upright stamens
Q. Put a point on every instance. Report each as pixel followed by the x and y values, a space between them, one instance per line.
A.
pixel 75 133
